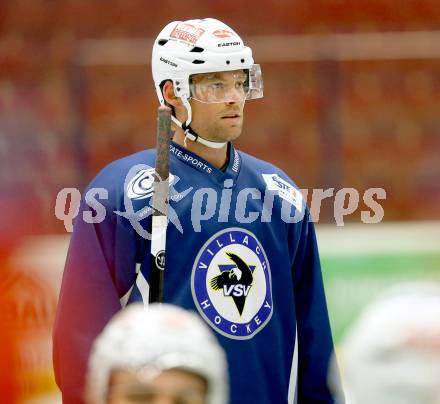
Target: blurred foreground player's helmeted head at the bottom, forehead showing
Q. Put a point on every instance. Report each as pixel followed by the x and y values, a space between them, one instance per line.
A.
pixel 156 354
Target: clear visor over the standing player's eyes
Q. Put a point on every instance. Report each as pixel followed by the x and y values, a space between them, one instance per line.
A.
pixel 229 86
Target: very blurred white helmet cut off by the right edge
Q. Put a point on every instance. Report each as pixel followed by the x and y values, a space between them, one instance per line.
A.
pixel 392 353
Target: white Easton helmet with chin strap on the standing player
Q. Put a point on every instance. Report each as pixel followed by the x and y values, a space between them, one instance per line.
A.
pixel 184 48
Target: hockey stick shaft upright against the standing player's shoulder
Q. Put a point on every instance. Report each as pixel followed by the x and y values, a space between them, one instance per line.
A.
pixel 160 204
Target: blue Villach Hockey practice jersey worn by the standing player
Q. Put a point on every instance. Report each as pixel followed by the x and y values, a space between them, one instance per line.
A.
pixel 241 251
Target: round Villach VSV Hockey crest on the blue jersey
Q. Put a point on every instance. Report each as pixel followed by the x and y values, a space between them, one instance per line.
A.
pixel 231 284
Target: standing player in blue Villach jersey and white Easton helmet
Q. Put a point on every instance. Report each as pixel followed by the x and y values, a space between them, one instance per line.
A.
pixel 240 250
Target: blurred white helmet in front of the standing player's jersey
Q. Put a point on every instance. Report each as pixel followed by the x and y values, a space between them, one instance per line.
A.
pixel 157 337
